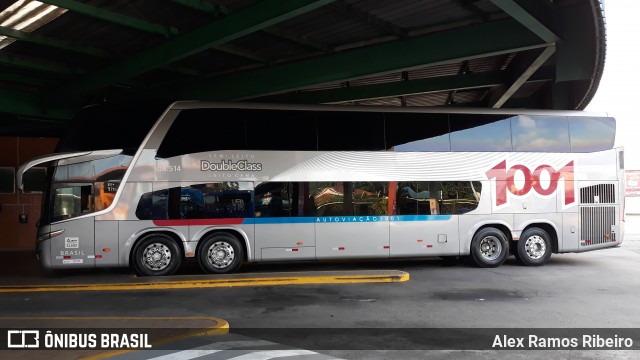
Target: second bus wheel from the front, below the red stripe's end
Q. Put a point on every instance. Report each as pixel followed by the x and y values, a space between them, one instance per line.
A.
pixel 220 253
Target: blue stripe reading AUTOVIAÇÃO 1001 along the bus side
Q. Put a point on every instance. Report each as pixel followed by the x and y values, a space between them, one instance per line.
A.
pixel 345 219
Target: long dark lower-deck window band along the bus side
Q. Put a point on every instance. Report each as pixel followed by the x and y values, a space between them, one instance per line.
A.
pixel 304 199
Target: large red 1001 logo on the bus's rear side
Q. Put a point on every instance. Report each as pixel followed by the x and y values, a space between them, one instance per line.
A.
pixel 505 181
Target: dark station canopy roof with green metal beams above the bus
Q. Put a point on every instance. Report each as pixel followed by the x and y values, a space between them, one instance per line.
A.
pixel 57 56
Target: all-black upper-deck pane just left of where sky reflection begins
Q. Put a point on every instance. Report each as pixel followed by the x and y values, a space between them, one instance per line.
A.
pixel 350 130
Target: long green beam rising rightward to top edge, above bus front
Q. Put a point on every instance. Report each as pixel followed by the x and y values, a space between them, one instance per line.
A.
pixel 248 20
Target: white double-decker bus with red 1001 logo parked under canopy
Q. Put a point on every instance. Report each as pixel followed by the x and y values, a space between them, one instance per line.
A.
pixel 227 183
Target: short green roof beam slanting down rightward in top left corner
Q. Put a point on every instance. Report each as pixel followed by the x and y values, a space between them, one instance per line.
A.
pixel 112 17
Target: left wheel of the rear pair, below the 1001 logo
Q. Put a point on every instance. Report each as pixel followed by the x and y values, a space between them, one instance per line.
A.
pixel 489 248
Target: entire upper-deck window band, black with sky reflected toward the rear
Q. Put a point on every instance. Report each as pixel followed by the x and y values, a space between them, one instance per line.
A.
pixel 213 129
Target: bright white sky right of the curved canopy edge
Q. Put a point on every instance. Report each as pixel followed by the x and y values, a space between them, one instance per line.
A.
pixel 618 89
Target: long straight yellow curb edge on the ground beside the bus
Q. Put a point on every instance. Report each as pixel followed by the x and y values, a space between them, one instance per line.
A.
pixel 397 276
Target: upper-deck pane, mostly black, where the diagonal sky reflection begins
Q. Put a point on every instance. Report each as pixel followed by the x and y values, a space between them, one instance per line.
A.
pixel 417 132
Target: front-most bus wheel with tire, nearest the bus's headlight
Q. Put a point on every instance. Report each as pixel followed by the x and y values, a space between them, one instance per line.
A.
pixel 156 255
